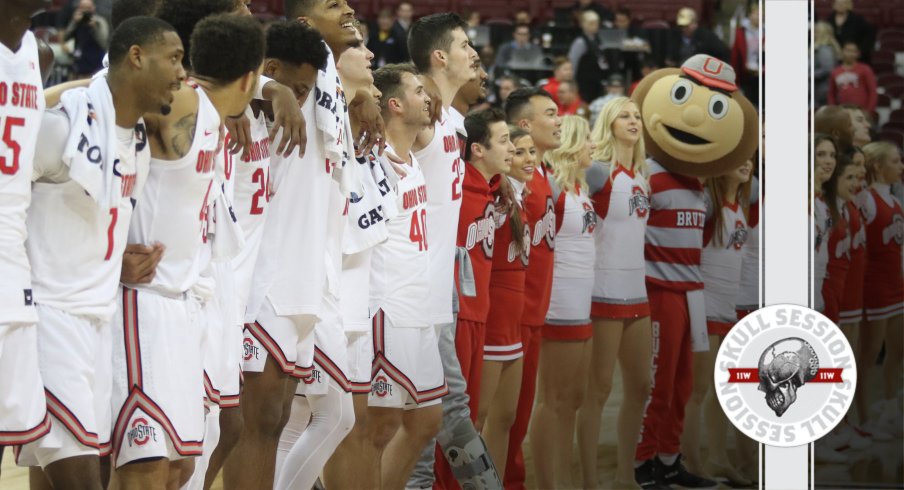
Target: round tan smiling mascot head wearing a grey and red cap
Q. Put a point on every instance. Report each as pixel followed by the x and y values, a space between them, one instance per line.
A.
pixel 695 121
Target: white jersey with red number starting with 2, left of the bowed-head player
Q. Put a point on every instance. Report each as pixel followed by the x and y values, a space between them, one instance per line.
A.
pixel 251 202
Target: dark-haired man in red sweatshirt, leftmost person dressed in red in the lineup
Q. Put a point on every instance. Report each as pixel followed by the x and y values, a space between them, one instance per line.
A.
pixel 488 154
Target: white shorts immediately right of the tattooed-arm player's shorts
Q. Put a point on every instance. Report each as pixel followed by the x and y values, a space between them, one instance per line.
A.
pixel 222 343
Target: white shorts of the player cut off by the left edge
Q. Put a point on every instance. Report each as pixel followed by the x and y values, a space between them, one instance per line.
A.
pixel 23 408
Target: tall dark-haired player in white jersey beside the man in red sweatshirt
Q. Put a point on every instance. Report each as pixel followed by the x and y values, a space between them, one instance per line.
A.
pixel 440 50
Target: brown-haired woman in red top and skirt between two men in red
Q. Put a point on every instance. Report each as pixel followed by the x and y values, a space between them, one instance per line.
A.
pixel 503 354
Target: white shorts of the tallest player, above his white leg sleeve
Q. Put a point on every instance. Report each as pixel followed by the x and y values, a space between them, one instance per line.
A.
pixel 330 354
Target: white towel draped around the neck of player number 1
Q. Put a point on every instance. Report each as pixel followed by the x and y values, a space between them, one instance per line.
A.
pixel 90 150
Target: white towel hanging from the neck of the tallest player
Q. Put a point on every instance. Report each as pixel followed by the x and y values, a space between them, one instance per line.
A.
pixel 331 118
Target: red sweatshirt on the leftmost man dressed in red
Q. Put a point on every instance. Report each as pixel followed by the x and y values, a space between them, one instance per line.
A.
pixel 477 233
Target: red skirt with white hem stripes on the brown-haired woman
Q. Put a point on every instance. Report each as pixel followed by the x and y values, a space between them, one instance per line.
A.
pixel 503 328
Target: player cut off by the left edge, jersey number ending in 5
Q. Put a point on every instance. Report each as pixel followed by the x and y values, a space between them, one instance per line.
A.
pixel 23 412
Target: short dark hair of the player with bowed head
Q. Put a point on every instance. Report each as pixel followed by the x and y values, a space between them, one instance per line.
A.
pixel 296 43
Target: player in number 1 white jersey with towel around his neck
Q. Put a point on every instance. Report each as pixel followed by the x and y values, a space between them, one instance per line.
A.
pixel 76 287
